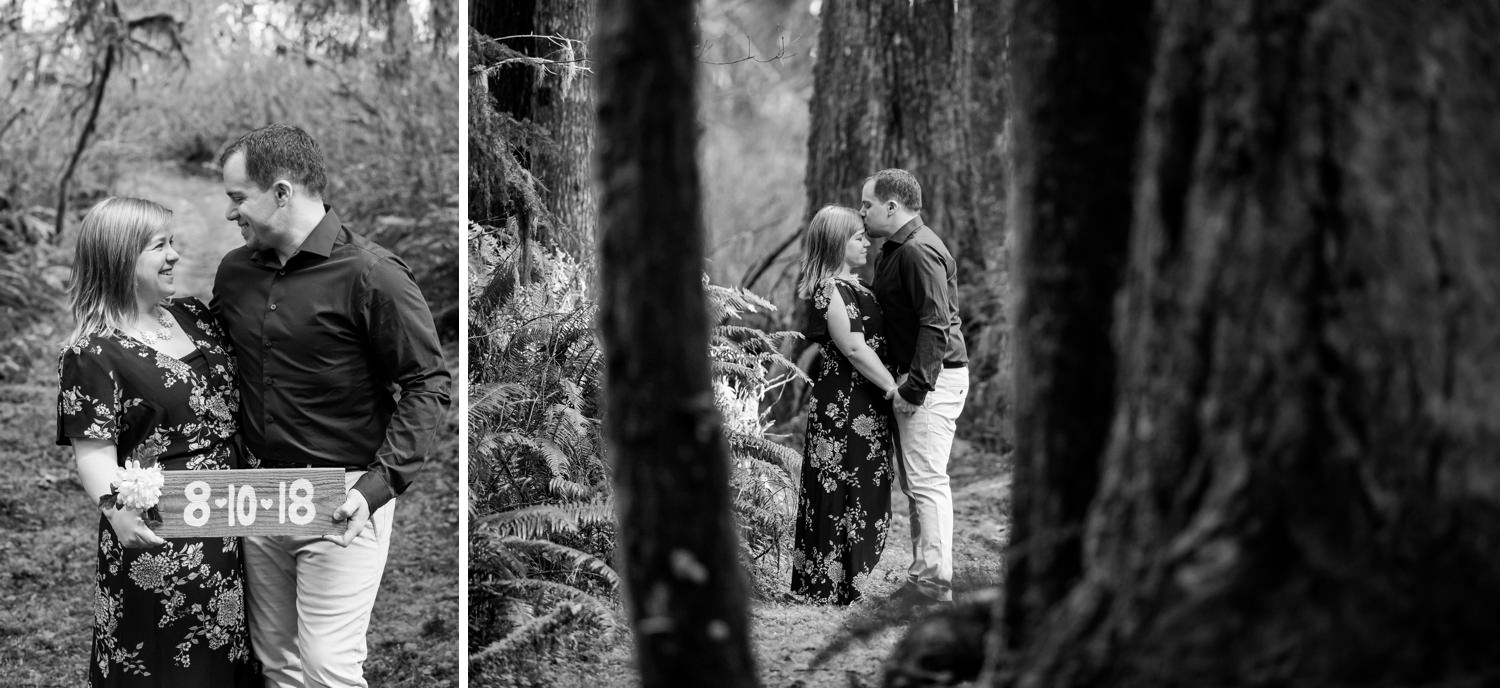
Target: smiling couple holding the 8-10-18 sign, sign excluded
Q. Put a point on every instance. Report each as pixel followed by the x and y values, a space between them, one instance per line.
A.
pixel 317 351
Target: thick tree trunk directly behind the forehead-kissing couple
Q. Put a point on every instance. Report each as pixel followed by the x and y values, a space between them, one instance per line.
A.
pixel 914 86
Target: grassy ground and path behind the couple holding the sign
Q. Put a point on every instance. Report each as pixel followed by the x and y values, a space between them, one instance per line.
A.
pixel 49 533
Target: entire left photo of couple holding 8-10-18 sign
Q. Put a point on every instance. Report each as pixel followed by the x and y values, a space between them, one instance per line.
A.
pixel 229 344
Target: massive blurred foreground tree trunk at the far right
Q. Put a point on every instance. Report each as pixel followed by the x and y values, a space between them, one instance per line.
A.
pixel 1300 483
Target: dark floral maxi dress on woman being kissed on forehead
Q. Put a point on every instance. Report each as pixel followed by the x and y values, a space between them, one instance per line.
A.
pixel 845 506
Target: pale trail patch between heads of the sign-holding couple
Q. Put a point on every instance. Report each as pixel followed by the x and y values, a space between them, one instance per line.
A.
pixel 202 233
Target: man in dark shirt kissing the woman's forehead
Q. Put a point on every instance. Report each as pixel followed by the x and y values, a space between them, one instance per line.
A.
pixel 917 286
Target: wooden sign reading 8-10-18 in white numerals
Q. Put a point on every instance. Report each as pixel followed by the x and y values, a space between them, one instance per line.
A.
pixel 260 501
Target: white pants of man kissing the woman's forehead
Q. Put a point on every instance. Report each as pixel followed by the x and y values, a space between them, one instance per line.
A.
pixel 925 443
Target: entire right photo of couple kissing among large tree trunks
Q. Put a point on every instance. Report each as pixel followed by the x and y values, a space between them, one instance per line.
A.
pixel 983 343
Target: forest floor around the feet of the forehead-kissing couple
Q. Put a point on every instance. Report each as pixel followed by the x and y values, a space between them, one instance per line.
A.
pixel 791 642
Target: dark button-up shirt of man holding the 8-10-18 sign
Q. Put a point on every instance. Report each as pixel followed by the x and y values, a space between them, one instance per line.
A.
pixel 340 359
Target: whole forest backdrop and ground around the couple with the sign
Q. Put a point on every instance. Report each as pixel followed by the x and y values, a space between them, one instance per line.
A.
pixel 136 98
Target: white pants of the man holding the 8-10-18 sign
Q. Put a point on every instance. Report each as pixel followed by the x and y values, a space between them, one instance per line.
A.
pixel 311 600
